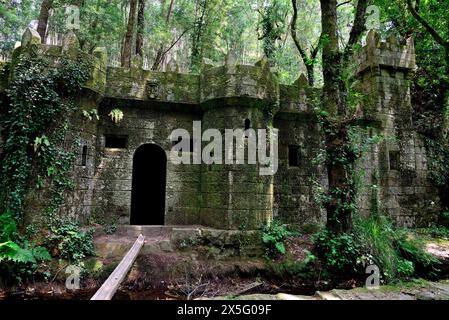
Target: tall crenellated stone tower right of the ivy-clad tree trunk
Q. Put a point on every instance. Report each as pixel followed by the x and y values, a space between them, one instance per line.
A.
pixel 396 178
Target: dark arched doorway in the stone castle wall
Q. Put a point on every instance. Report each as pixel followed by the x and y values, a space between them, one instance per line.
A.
pixel 148 185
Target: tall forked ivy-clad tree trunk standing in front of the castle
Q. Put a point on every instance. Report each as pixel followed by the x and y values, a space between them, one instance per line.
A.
pixel 340 156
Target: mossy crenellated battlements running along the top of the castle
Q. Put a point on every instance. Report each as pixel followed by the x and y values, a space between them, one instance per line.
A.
pixel 231 83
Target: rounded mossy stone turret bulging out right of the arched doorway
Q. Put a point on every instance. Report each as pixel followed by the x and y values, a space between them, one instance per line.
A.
pixel 238 97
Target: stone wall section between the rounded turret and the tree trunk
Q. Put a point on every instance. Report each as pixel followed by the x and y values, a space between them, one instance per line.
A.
pixel 299 137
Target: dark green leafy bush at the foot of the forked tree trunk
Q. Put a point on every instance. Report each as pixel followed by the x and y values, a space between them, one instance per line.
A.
pixel 339 253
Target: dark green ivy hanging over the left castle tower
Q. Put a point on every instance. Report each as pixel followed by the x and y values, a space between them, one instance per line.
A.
pixel 37 96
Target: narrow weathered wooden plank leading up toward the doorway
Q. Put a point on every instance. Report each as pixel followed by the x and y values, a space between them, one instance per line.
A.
pixel 110 286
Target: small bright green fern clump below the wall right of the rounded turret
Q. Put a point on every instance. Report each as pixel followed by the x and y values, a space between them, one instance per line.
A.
pixel 273 236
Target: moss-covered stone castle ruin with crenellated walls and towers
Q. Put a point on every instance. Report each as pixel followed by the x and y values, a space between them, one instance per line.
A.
pixel 122 173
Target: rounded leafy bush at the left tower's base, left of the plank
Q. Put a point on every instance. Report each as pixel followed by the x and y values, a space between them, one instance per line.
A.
pixel 69 242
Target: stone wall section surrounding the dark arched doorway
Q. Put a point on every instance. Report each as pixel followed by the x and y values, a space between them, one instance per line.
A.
pixel 113 168
